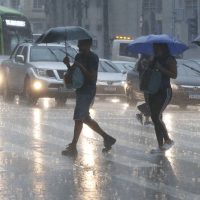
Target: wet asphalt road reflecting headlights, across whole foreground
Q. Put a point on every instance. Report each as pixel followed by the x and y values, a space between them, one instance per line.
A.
pixel 32 167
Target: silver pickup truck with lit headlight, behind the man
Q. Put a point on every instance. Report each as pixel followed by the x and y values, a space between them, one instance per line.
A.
pixel 36 71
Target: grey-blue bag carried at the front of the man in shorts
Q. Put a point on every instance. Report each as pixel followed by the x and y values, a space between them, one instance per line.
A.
pixel 74 78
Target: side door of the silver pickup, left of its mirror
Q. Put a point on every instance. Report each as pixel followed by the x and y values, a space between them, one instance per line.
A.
pixel 12 77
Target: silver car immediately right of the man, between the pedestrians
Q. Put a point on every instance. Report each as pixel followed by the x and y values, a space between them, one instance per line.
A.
pixel 110 80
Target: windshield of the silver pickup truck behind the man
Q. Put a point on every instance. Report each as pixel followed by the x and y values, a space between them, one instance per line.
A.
pixel 51 53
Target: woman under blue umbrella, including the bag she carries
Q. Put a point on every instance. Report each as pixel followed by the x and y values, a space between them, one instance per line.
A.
pixel 156 82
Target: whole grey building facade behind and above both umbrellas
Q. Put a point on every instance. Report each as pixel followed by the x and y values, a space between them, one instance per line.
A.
pixel 107 18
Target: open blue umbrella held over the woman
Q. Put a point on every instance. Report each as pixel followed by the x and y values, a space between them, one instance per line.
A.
pixel 144 44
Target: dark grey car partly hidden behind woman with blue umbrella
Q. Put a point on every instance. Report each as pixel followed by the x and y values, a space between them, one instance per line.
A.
pixel 186 88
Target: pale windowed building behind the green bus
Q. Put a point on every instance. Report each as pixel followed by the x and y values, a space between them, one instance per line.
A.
pixel 32 9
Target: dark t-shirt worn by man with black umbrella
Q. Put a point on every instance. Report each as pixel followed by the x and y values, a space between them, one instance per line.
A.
pixel 90 62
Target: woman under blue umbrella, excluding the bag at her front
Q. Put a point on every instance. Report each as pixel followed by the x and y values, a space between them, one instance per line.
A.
pixel 165 63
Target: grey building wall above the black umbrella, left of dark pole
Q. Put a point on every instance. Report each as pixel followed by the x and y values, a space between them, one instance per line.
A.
pixel 85 13
